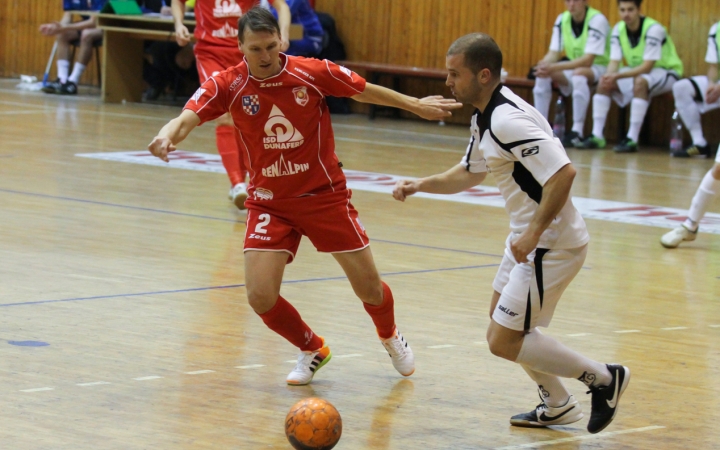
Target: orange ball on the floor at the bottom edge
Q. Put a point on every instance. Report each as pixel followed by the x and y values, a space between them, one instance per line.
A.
pixel 313 424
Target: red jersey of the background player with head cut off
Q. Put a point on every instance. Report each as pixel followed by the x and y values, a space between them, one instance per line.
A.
pixel 217 21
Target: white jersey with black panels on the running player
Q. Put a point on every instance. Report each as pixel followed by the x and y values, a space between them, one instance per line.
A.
pixel 515 143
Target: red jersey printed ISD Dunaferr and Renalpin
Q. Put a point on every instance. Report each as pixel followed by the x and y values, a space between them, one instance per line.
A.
pixel 284 123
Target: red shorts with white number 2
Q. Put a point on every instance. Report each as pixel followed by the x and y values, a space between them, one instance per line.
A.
pixel 329 220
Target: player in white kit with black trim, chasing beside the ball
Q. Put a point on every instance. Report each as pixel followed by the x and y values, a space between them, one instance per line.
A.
pixel 548 241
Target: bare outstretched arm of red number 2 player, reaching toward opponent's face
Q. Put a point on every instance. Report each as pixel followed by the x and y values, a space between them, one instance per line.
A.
pixel 434 107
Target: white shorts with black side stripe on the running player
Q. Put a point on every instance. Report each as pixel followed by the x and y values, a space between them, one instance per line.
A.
pixel 530 291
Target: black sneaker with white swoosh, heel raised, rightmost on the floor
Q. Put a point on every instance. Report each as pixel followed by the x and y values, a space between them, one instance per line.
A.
pixel 605 399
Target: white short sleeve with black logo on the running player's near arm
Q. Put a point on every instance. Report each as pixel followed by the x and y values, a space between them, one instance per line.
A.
pixel 541 154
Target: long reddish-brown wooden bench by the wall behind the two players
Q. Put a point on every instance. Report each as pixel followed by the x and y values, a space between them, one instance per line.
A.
pixel 373 72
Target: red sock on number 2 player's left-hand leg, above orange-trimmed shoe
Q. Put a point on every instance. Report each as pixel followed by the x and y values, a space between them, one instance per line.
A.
pixel 284 319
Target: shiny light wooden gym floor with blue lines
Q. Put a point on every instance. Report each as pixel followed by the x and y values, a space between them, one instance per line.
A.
pixel 133 277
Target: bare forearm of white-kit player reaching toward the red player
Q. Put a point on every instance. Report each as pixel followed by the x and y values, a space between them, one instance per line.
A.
pixel 454 180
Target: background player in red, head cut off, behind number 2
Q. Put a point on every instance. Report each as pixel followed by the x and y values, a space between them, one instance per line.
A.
pixel 216 50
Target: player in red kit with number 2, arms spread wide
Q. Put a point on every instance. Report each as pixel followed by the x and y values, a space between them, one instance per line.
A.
pixel 296 188
